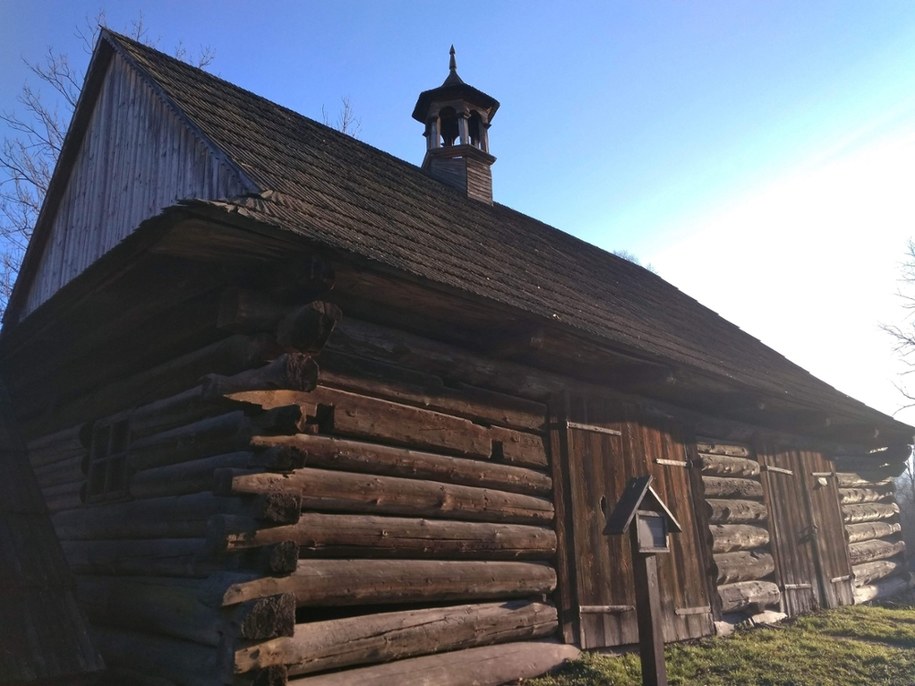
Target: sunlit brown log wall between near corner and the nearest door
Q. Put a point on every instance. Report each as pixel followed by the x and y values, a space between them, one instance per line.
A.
pixel 414 492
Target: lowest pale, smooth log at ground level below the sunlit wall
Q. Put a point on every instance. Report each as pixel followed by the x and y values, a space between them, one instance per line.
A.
pixel 484 666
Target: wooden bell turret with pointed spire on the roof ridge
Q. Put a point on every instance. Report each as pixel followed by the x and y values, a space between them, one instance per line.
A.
pixel 457 118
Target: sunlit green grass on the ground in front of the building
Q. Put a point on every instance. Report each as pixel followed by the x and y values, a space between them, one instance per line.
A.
pixel 850 646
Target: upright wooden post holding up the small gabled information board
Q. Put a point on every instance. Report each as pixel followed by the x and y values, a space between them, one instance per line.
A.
pixel 648 610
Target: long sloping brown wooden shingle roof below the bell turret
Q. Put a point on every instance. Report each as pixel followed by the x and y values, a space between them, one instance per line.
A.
pixel 345 195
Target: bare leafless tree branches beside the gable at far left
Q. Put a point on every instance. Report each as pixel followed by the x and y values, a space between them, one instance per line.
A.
pixel 27 158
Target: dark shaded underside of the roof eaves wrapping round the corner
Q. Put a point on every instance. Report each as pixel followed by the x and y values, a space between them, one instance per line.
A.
pixel 568 357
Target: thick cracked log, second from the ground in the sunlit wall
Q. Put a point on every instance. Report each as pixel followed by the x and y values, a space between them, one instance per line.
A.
pixel 320 646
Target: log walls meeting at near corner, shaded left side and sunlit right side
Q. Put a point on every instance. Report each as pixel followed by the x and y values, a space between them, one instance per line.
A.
pixel 253 497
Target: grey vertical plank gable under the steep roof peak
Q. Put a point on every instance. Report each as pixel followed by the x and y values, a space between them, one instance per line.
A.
pixel 150 160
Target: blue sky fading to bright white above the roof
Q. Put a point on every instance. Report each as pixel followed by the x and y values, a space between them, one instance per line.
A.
pixel 760 155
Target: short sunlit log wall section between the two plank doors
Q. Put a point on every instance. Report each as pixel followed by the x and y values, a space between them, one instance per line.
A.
pixel 738 525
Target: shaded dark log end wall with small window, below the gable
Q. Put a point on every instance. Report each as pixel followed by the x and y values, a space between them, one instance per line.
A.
pixel 150 556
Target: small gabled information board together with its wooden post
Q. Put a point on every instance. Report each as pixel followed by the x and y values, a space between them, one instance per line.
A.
pixel 650 535
